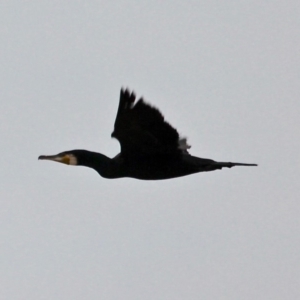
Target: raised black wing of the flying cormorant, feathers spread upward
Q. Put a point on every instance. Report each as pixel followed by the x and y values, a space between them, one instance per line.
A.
pixel 142 130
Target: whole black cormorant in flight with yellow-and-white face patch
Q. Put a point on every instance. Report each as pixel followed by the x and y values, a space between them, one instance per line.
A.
pixel 151 148
